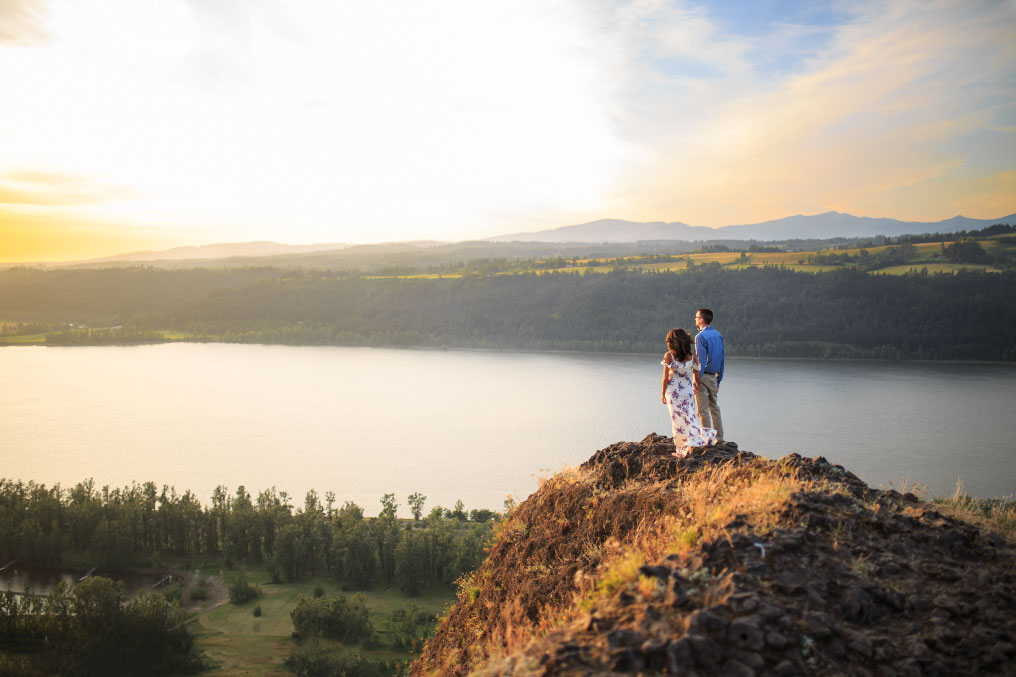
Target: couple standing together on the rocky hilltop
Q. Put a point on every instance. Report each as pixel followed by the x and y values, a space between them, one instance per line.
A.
pixel 692 374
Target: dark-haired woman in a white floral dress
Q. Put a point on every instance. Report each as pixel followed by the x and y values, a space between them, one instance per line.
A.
pixel 680 382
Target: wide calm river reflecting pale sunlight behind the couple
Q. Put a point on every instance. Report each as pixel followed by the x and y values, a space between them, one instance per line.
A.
pixel 473 425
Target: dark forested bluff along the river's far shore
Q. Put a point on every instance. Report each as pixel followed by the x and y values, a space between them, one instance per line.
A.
pixel 761 312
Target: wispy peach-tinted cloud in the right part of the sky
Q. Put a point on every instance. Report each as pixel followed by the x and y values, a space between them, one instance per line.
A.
pixel 872 126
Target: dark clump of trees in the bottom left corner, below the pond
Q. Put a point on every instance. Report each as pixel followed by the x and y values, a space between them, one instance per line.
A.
pixel 94 631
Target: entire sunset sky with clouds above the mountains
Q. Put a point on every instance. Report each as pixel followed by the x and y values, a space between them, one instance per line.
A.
pixel 146 125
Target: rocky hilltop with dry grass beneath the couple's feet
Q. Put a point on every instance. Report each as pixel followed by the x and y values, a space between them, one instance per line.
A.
pixel 730 564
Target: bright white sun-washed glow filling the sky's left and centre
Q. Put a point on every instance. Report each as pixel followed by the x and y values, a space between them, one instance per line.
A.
pixel 459 115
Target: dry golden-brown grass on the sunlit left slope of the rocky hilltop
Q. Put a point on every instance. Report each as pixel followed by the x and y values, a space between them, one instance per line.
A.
pixel 576 545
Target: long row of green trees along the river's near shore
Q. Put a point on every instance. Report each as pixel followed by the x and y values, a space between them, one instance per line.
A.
pixel 142 525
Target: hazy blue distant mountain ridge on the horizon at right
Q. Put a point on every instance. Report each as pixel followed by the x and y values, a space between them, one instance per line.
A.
pixel 801 227
